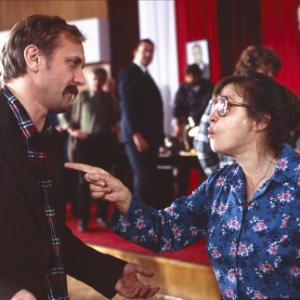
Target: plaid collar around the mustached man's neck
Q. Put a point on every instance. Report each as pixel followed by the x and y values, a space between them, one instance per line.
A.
pixel 27 127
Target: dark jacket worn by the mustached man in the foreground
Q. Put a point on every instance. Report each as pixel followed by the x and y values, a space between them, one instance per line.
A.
pixel 25 237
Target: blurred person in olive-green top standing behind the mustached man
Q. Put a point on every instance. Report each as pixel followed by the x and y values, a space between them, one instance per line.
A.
pixel 92 129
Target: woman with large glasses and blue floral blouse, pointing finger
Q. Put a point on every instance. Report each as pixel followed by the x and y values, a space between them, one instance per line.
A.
pixel 249 212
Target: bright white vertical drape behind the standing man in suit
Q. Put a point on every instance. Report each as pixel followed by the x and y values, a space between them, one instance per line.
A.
pixel 157 22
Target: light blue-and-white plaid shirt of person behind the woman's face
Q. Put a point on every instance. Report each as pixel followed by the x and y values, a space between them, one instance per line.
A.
pixel 209 160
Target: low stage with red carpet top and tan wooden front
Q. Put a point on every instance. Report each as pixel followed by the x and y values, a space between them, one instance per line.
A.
pixel 184 274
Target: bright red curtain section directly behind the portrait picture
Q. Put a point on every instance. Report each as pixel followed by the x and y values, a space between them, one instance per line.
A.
pixel 197 19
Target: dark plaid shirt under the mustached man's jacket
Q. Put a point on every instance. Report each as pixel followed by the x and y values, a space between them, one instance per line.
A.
pixel 55 278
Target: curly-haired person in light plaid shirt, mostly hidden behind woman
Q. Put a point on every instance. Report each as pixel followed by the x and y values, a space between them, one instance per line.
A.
pixel 253 58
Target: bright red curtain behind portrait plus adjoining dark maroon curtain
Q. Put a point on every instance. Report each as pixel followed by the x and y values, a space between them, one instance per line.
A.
pixel 228 25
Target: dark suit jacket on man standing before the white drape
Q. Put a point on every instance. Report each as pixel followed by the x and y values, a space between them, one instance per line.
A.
pixel 141 106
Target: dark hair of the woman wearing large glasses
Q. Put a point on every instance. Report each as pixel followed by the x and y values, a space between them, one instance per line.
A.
pixel 265 96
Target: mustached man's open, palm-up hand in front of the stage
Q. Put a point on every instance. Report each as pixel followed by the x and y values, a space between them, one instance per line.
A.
pixel 130 286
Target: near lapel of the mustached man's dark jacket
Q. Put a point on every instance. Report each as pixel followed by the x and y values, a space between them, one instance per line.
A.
pixel 13 150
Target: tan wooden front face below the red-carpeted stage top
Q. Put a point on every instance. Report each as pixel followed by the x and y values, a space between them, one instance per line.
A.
pixel 176 279
